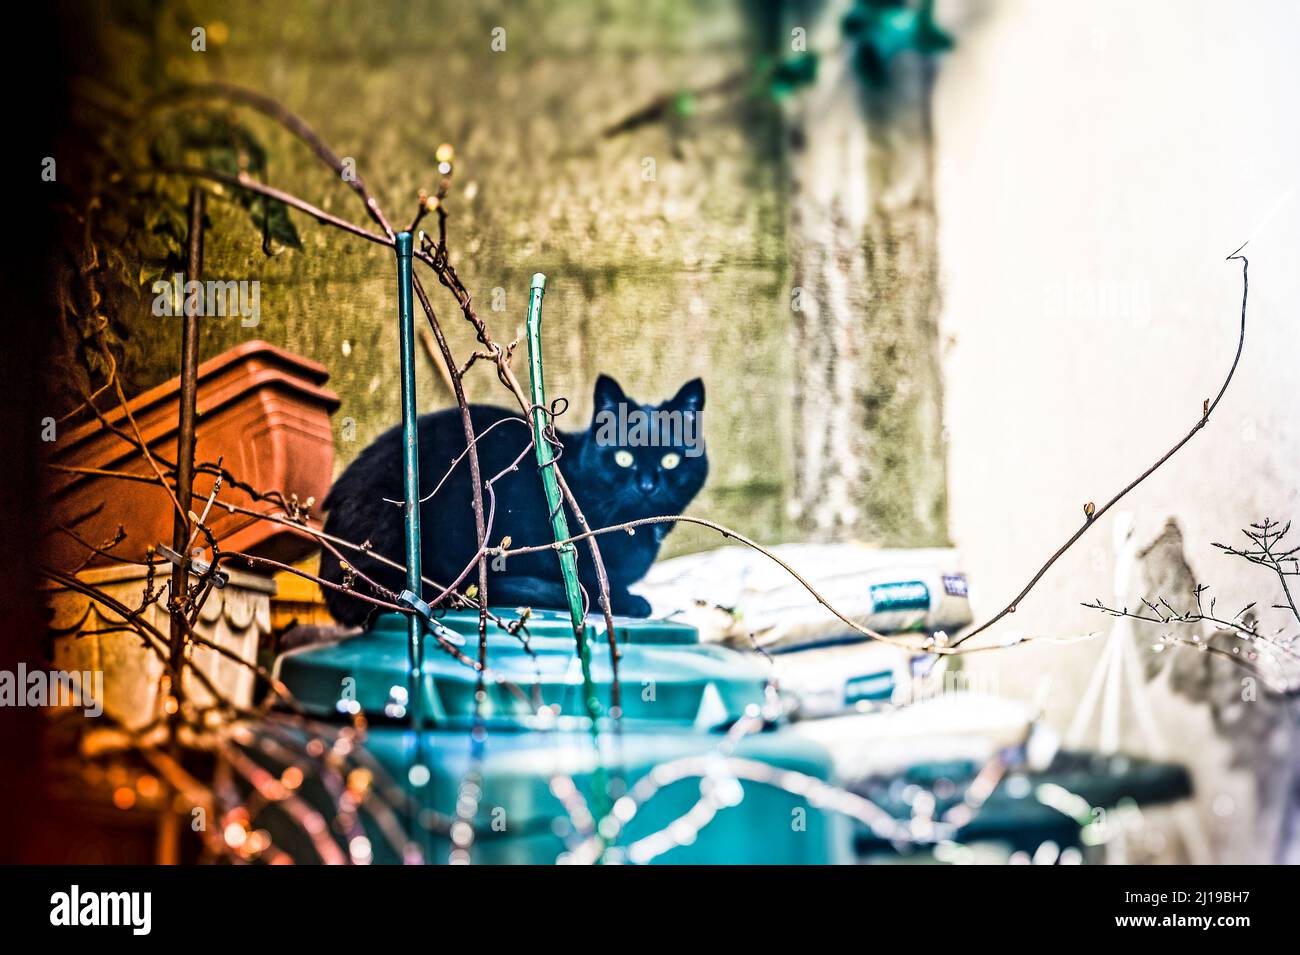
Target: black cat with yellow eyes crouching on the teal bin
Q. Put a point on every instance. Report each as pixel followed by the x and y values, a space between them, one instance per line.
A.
pixel 634 462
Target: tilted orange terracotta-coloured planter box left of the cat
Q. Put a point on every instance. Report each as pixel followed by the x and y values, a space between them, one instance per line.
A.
pixel 262 410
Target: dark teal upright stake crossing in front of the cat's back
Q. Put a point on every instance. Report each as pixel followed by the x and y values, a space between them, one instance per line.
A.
pixel 410 467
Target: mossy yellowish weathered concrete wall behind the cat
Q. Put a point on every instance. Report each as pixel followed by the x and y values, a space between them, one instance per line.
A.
pixel 653 277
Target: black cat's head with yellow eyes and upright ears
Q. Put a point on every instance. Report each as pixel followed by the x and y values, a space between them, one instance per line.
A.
pixel 643 459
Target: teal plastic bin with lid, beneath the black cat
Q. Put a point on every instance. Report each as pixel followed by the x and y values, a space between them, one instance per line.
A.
pixel 534 740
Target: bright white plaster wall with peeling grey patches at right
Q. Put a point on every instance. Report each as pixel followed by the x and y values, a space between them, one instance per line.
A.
pixel 1097 164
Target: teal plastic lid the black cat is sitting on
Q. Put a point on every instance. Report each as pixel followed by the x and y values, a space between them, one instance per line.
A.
pixel 665 679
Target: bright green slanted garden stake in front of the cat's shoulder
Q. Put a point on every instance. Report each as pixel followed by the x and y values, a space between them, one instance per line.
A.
pixel 560 524
